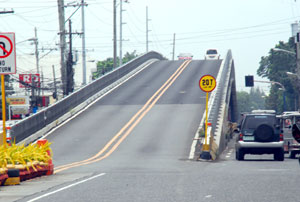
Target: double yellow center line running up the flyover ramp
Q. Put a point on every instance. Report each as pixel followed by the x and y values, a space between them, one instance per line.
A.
pixel 132 121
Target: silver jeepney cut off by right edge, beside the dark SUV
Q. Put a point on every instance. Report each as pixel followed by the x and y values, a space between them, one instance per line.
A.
pixel 291 145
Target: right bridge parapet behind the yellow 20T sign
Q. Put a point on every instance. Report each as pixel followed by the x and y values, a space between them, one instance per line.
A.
pixel 222 104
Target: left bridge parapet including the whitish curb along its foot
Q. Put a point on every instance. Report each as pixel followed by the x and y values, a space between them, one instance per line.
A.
pixel 35 126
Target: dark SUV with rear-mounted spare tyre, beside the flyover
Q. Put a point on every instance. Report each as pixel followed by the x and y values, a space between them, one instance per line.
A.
pixel 260 134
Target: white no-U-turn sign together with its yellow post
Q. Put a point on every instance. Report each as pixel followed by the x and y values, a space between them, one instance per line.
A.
pixel 7 66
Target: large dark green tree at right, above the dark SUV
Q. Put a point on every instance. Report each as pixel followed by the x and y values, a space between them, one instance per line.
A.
pixel 274 67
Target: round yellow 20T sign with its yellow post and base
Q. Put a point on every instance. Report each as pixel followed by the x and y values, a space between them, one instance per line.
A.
pixel 207 84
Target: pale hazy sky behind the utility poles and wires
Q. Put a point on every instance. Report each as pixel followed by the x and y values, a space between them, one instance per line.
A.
pixel 250 28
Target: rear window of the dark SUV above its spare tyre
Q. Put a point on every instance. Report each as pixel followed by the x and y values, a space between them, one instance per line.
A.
pixel 252 122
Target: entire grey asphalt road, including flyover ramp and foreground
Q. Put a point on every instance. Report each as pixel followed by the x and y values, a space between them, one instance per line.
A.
pixel 133 145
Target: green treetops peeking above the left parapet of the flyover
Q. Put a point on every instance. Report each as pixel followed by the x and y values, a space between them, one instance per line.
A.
pixel 105 66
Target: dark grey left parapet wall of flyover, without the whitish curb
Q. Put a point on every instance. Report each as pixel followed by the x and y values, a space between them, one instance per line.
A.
pixel 40 120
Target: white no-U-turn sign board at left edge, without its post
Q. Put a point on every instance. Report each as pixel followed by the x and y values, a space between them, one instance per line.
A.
pixel 7 53
